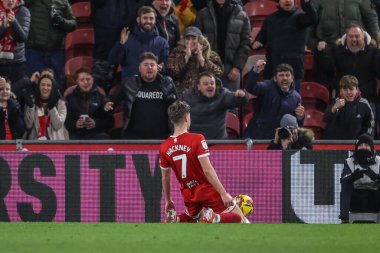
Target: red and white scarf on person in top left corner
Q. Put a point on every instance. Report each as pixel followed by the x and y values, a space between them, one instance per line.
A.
pixel 7 44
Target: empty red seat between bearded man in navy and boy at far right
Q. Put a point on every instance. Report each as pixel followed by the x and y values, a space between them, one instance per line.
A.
pixel 314 96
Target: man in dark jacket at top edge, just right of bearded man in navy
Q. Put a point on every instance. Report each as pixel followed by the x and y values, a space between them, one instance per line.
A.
pixel 167 22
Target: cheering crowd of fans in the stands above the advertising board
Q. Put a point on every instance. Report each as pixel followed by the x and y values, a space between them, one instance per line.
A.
pixel 85 69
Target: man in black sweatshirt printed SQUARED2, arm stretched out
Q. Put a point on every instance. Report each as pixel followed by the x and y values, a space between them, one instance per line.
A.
pixel 145 99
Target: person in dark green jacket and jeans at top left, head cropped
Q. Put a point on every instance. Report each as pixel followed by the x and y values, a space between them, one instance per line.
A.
pixel 51 20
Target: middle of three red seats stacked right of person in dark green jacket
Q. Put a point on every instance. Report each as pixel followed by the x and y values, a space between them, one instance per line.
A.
pixel 79 43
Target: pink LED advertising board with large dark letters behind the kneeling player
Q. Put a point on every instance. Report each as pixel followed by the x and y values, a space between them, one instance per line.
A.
pixel 94 186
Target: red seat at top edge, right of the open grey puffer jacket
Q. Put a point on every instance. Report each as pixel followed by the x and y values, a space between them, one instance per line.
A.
pixel 258 10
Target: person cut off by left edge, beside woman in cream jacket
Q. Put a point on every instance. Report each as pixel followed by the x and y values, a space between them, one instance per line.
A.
pixel 11 117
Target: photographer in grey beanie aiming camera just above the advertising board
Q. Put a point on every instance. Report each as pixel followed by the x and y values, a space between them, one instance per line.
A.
pixel 290 136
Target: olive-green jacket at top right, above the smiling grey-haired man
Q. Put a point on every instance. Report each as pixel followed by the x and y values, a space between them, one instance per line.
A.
pixel 335 16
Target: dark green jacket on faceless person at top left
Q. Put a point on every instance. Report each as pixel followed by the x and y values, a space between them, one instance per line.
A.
pixel 42 34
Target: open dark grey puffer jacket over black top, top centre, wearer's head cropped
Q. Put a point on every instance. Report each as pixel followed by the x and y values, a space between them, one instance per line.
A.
pixel 238 39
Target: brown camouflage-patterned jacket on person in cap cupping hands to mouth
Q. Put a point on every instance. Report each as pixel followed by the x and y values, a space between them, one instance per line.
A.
pixel 186 75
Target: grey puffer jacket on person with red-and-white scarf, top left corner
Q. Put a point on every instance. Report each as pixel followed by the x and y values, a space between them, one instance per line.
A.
pixel 20 31
